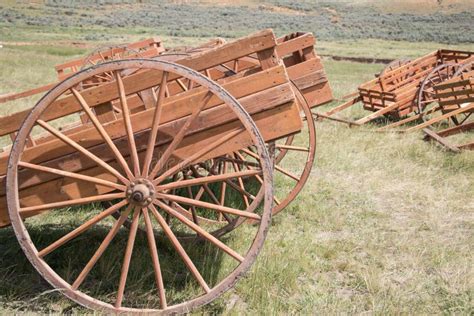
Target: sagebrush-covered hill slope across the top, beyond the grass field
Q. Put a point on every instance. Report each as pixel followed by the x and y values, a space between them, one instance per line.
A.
pixel 448 22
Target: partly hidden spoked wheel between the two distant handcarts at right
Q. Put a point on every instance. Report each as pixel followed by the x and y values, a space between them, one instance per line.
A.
pixel 426 100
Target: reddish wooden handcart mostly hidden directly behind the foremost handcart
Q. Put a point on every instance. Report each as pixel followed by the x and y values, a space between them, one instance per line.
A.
pixel 293 164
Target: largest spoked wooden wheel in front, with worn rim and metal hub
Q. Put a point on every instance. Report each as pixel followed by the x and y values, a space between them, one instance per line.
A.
pixel 141 188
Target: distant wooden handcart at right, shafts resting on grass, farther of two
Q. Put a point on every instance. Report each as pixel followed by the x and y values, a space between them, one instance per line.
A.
pixel 403 92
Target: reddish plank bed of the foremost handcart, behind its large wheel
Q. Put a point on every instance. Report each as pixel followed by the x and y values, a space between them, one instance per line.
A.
pixel 266 95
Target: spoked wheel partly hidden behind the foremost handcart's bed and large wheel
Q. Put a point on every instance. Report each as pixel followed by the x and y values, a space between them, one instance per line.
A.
pixel 292 168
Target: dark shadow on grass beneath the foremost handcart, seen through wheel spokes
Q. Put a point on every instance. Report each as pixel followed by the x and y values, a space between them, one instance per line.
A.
pixel 23 288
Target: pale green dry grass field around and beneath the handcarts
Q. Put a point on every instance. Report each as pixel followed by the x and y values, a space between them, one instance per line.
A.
pixel 384 225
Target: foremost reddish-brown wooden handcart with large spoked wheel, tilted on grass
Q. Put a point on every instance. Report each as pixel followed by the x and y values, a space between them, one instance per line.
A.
pixel 160 146
